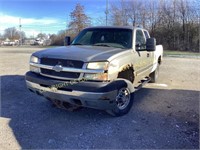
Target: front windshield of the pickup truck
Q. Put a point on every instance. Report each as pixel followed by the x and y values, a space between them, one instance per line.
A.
pixel 119 38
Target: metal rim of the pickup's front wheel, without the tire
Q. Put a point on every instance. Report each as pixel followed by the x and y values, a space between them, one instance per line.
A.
pixel 123 98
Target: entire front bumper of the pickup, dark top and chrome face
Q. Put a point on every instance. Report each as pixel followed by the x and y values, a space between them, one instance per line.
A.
pixel 98 95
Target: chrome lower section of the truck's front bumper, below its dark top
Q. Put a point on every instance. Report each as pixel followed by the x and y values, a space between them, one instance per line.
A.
pixel 104 101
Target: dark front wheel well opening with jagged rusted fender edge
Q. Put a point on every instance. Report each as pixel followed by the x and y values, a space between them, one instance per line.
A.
pixel 127 73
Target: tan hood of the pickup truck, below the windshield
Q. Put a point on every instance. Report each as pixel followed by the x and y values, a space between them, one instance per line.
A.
pixel 83 53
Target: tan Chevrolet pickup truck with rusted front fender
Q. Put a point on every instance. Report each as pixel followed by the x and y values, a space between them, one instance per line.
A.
pixel 101 68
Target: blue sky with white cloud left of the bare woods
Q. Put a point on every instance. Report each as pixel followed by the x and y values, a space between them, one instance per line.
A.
pixel 47 16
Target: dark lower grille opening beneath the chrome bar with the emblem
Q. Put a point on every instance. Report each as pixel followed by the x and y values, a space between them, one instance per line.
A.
pixel 60 74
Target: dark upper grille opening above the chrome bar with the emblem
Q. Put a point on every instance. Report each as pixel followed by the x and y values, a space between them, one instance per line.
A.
pixel 63 62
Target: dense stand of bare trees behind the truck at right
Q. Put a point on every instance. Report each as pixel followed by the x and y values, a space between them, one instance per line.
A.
pixel 173 22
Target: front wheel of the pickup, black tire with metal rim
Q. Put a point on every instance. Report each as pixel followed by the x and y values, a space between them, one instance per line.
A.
pixel 124 102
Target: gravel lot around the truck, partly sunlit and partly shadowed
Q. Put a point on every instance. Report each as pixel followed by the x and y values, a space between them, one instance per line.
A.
pixel 164 115
